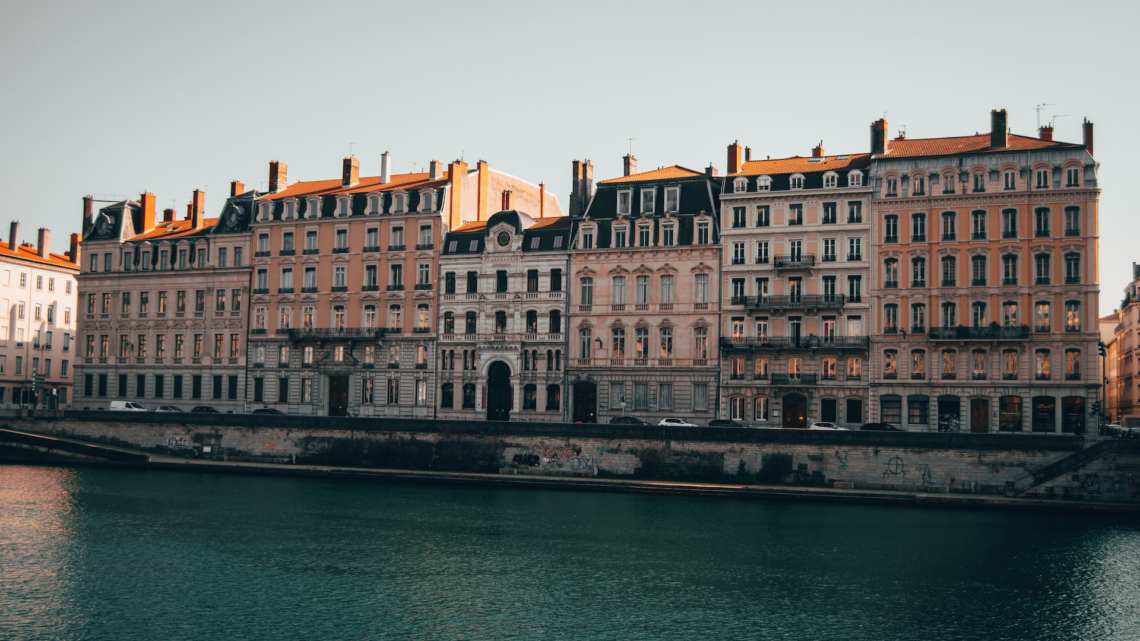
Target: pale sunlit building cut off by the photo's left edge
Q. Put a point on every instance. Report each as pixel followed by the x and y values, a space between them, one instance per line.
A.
pixel 38 299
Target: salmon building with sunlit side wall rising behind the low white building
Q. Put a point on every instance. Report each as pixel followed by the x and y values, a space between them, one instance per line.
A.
pixel 345 291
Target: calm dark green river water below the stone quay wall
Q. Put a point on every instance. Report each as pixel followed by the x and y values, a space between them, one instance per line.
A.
pixel 94 554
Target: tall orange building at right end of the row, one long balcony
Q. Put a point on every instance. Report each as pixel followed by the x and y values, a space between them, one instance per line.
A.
pixel 984 282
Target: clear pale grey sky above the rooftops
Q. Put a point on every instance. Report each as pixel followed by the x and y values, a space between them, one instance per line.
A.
pixel 115 99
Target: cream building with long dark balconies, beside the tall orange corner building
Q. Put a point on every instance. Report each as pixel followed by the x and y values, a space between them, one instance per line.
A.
pixel 794 344
